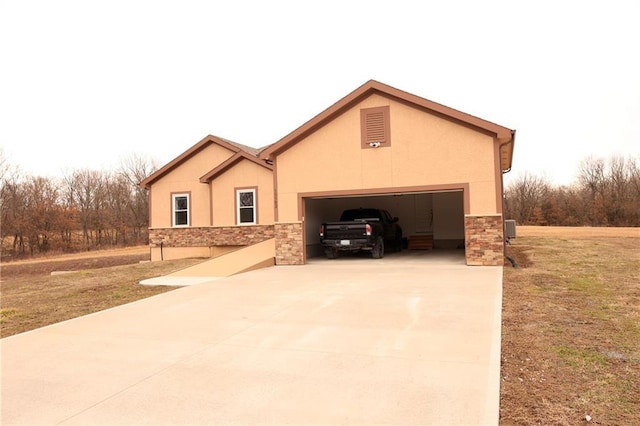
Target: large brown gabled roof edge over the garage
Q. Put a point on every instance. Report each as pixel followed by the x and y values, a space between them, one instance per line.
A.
pixel 504 135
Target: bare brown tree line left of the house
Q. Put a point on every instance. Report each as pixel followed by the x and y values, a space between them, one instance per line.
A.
pixel 83 210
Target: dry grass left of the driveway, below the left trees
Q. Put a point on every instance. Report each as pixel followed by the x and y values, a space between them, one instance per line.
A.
pixel 32 297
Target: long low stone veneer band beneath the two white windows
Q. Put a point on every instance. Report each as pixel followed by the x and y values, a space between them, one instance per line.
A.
pixel 210 236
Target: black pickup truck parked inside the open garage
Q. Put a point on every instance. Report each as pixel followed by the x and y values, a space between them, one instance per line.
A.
pixel 361 229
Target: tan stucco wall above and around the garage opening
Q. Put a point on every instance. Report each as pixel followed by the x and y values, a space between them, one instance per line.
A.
pixel 425 150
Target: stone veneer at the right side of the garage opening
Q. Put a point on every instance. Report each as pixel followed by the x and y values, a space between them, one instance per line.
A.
pixel 484 239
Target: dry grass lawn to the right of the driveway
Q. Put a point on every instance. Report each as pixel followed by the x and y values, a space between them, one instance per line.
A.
pixel 571 327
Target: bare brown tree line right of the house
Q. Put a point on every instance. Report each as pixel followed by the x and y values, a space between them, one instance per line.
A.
pixel 606 192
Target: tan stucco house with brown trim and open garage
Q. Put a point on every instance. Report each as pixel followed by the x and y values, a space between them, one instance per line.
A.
pixel 438 169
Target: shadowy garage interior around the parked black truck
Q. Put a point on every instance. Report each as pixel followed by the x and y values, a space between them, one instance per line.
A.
pixel 437 215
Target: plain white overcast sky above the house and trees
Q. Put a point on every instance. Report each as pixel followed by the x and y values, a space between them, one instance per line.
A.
pixel 86 83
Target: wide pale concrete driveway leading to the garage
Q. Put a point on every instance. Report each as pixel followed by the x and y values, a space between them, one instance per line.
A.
pixel 401 340
